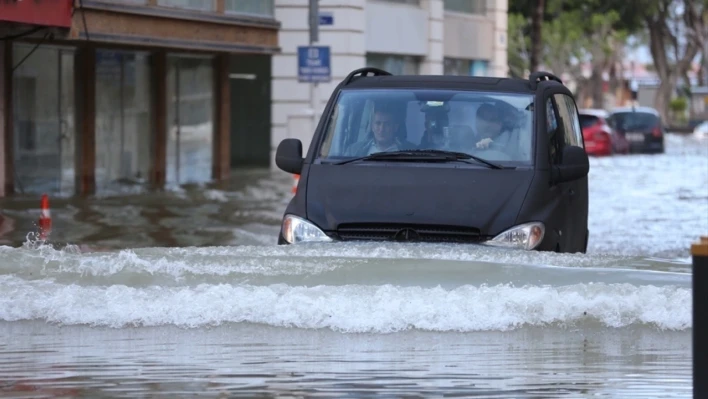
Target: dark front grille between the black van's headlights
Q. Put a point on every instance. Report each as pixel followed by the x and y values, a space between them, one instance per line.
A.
pixel 408 232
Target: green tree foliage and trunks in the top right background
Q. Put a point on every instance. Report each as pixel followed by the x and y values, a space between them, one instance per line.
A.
pixel 596 31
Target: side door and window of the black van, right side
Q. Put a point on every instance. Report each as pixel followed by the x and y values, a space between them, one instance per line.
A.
pixel 574 194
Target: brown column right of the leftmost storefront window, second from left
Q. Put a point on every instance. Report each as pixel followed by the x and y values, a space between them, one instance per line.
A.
pixel 85 81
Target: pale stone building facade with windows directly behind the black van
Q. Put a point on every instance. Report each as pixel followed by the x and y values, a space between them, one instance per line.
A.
pixel 454 37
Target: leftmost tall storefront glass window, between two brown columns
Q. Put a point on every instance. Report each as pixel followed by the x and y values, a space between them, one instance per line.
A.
pixel 44 119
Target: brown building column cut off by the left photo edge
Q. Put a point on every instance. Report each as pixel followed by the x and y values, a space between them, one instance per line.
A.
pixel 6 128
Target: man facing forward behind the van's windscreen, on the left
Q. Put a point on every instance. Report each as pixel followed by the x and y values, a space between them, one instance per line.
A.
pixel 383 136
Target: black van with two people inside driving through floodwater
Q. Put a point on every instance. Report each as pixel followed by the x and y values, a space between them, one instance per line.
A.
pixel 492 161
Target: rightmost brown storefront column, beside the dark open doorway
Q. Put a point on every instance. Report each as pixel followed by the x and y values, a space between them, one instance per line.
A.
pixel 221 163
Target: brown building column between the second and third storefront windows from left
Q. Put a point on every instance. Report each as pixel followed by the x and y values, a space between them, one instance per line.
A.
pixel 158 73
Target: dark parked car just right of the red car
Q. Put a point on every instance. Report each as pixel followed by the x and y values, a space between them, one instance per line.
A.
pixel 641 126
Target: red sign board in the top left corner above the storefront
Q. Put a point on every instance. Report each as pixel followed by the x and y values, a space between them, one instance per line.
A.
pixel 54 13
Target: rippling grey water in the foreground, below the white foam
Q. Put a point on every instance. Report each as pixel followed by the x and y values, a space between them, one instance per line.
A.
pixel 256 361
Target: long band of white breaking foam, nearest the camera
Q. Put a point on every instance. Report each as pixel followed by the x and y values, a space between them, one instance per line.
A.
pixel 352 308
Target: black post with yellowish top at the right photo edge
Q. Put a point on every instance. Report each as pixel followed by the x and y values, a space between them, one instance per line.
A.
pixel 699 253
